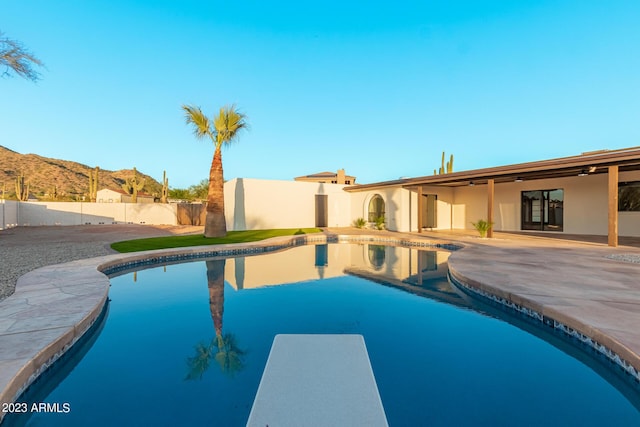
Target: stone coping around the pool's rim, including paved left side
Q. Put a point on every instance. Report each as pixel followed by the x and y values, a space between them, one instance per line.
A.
pixel 54 306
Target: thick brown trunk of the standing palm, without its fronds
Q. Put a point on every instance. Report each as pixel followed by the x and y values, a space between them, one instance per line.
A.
pixel 215 224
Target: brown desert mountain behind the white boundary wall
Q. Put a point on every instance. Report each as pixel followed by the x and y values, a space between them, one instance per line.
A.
pixel 69 179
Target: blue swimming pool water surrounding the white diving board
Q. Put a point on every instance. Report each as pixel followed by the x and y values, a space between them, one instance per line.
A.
pixel 186 344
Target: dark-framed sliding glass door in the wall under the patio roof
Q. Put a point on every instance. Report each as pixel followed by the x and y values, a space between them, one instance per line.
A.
pixel 542 210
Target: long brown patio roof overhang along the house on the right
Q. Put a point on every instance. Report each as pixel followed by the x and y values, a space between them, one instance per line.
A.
pixel 590 163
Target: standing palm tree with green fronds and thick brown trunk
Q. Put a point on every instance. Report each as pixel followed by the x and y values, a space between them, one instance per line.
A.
pixel 224 131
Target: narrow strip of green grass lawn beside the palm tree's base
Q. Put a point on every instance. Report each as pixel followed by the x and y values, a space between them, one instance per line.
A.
pixel 200 240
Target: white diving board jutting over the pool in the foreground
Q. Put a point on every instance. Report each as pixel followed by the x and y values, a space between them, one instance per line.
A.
pixel 318 380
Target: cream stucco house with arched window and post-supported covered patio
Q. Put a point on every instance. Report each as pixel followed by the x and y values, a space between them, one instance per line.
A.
pixel 594 193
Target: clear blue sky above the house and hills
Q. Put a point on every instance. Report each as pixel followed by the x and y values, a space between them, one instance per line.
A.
pixel 379 88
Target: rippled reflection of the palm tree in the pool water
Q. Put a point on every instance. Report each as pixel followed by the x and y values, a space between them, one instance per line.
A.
pixel 223 348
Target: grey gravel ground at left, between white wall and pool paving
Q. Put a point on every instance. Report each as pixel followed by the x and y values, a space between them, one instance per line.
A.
pixel 23 249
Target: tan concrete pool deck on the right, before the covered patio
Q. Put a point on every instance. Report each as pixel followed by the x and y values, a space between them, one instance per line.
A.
pixel 590 291
